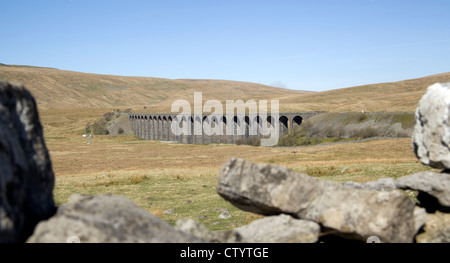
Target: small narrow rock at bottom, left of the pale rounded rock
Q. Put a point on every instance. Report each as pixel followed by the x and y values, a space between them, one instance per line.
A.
pixel 195 228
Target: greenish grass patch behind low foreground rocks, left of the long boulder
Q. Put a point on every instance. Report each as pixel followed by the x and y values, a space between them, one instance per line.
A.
pixel 190 196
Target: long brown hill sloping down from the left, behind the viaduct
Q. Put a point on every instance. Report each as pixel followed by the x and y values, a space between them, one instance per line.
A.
pixel 56 89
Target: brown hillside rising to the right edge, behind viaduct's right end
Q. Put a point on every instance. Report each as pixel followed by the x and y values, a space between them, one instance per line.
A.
pixel 392 96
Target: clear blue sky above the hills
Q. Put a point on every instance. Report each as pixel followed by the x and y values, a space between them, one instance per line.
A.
pixel 307 45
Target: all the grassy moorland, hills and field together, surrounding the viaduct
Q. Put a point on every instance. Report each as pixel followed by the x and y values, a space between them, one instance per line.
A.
pixel 176 181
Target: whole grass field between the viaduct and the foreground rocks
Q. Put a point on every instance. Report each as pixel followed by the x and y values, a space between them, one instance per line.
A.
pixel 160 176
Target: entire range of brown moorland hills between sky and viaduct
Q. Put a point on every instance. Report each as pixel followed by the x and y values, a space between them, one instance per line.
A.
pixel 60 89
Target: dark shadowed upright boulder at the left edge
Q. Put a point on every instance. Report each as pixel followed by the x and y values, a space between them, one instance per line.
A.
pixel 26 174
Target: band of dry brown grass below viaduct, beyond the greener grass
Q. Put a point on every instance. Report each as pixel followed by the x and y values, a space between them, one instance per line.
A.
pixel 71 155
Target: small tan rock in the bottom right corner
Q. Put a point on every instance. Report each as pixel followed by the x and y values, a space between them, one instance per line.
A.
pixel 436 229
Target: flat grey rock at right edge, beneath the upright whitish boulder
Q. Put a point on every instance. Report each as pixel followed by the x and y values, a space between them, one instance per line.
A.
pixel 434 189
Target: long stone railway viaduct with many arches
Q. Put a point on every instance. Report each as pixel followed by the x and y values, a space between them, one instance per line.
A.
pixel 158 126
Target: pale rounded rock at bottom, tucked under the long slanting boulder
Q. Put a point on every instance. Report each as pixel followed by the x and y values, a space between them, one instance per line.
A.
pixel 280 229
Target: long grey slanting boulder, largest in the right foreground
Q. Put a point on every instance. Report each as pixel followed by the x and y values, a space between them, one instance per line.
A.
pixel 353 213
